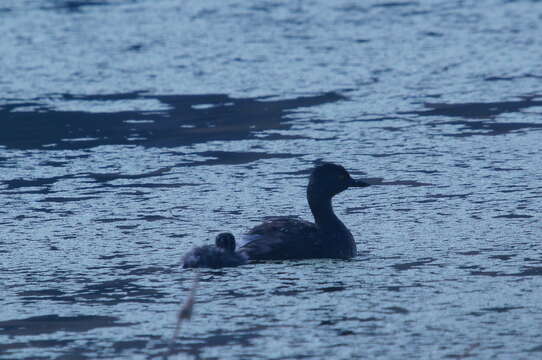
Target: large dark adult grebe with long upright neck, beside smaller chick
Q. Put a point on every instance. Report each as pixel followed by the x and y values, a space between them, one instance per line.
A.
pixel 283 238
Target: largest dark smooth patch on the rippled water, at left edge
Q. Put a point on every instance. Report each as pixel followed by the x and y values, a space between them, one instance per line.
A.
pixel 188 119
